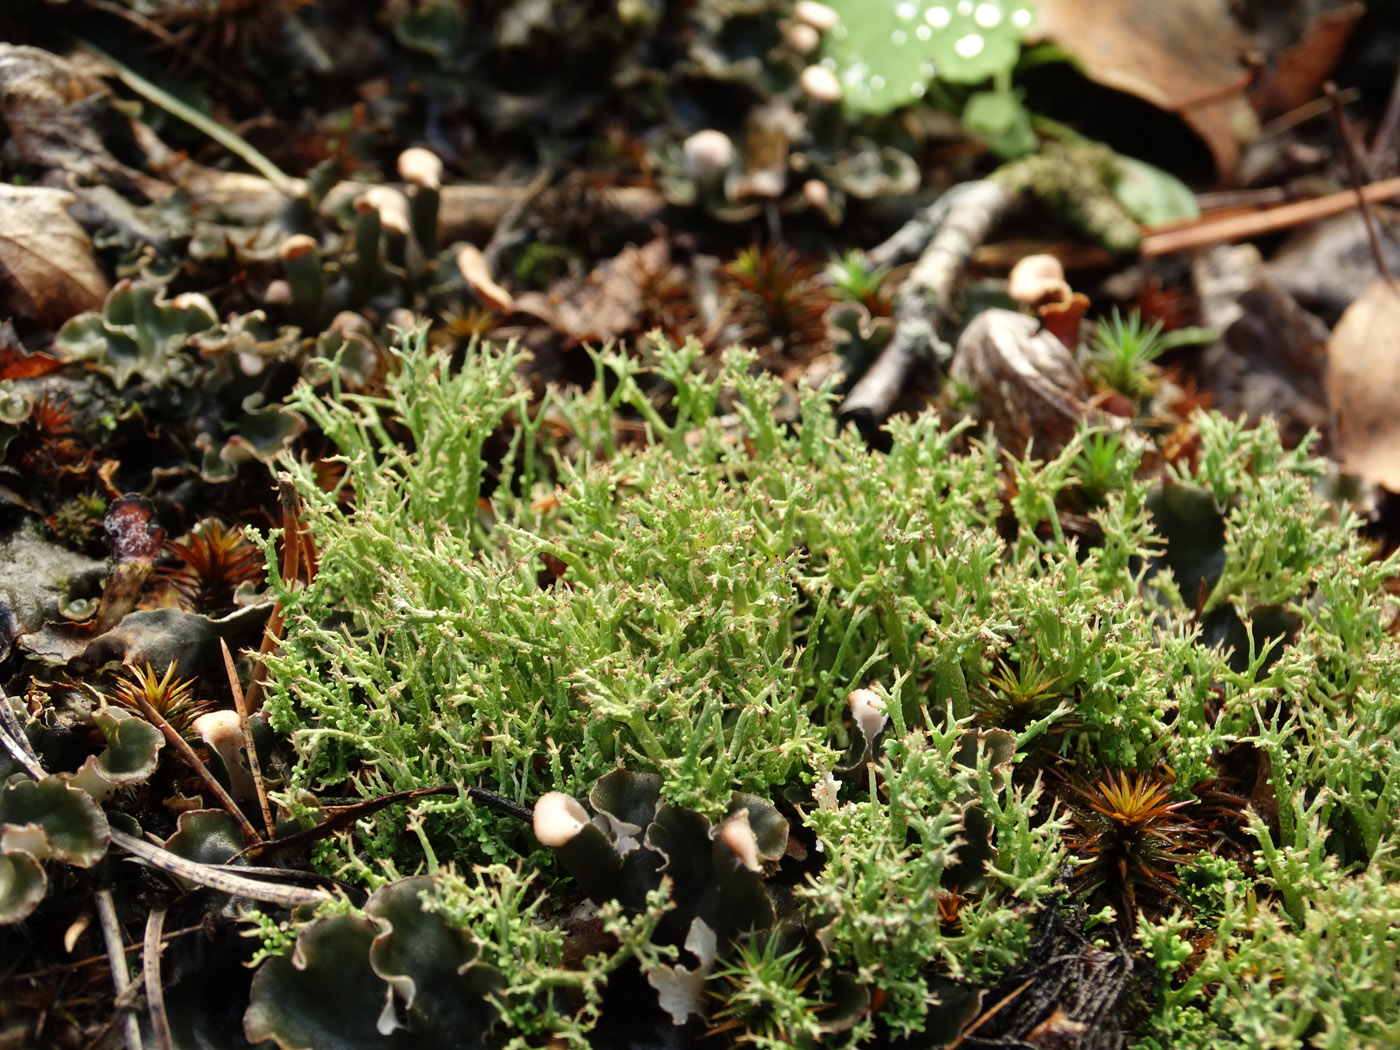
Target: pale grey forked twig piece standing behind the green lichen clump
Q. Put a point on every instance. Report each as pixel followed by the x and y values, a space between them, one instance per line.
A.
pixel 958 225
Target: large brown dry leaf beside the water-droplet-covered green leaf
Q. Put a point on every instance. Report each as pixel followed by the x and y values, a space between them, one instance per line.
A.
pixel 1182 57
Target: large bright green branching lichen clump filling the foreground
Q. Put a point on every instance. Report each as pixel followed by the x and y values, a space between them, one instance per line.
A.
pixel 682 572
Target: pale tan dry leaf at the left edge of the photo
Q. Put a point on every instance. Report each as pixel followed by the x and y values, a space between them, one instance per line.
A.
pixel 47 267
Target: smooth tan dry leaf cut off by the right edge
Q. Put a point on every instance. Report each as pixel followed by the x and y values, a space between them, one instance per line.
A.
pixel 1364 386
